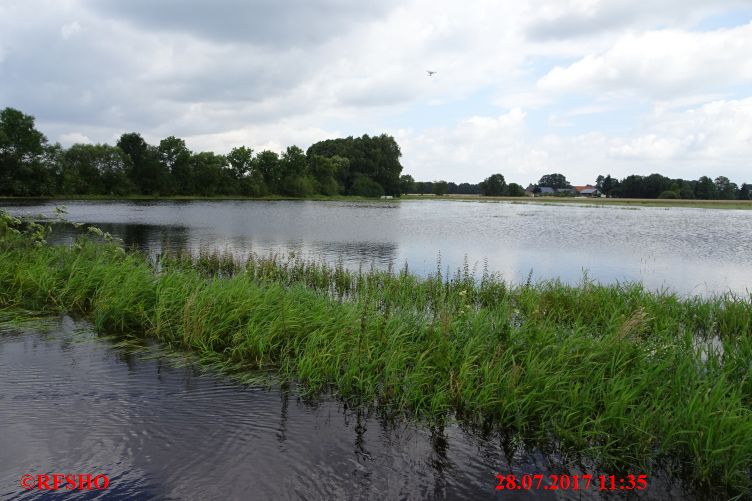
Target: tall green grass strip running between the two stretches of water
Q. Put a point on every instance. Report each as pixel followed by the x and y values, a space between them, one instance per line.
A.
pixel 616 373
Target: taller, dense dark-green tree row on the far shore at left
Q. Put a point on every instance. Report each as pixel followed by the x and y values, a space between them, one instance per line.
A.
pixel 31 166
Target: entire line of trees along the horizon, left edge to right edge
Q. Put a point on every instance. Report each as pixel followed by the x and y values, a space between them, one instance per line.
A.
pixel 366 166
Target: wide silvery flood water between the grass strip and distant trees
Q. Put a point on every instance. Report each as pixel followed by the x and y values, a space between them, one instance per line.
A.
pixel 690 251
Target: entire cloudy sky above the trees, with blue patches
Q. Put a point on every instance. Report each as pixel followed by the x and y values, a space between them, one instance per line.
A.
pixel 523 88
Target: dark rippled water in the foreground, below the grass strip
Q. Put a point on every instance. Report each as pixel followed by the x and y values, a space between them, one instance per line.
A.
pixel 73 403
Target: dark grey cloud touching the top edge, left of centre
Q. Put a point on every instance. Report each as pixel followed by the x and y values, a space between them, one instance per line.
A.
pixel 258 22
